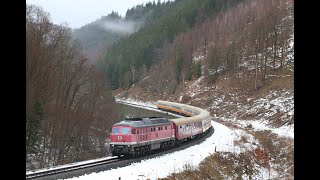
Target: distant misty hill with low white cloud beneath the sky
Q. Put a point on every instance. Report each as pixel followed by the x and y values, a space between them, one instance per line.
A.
pixel 99 35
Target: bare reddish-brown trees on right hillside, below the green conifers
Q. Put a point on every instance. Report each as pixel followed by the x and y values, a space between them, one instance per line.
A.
pixel 248 41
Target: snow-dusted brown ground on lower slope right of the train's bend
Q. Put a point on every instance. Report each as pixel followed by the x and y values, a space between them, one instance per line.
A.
pixel 263 108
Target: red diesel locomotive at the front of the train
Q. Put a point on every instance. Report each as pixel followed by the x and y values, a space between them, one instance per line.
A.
pixel 136 136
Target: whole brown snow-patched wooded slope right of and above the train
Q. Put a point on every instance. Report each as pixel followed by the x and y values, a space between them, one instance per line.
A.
pixel 244 51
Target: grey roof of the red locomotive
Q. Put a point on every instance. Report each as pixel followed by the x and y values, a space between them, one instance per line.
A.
pixel 144 122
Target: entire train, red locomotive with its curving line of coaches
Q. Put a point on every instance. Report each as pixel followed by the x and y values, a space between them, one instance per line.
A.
pixel 134 137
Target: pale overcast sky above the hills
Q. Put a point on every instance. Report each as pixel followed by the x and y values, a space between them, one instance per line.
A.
pixel 80 12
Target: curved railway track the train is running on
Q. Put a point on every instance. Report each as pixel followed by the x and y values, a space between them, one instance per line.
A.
pixel 103 165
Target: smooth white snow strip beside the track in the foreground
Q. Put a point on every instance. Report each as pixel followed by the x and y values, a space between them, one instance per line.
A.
pixel 164 165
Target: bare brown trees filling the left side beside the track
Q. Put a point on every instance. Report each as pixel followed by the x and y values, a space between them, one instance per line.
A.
pixel 69 107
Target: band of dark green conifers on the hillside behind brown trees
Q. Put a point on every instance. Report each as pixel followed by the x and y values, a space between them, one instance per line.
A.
pixel 131 58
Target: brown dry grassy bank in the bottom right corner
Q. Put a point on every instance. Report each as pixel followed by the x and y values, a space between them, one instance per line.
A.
pixel 275 153
